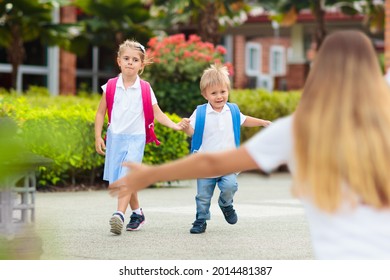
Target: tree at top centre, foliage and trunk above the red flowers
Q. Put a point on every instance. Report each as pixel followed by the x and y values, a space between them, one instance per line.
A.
pixel 209 17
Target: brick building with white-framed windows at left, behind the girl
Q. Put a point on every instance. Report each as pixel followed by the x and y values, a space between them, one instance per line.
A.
pixel 60 71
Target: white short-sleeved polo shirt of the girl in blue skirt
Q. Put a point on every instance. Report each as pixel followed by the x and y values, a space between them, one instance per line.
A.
pixel 127 116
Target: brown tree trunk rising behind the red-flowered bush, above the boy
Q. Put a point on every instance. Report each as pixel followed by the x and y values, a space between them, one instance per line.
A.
pixel 208 24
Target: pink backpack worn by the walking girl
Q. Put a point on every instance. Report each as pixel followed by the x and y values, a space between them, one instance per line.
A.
pixel 146 102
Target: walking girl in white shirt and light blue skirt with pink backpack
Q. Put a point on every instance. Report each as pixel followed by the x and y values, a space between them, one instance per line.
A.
pixel 126 133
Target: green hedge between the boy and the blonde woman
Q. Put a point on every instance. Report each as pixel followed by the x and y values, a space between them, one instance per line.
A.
pixel 264 105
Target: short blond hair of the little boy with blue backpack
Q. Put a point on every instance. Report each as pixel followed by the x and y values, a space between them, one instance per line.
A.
pixel 216 74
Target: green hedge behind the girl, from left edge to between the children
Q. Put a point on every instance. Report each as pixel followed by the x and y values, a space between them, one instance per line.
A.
pixel 62 129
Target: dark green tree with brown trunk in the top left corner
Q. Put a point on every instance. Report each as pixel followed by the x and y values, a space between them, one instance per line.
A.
pixel 23 21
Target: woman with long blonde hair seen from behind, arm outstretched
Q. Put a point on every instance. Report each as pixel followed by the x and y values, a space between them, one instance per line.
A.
pixel 336 144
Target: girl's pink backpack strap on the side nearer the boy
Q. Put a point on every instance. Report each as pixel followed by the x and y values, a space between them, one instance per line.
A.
pixel 148 113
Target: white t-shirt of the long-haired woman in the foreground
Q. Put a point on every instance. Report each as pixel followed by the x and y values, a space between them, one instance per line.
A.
pixel 359 233
